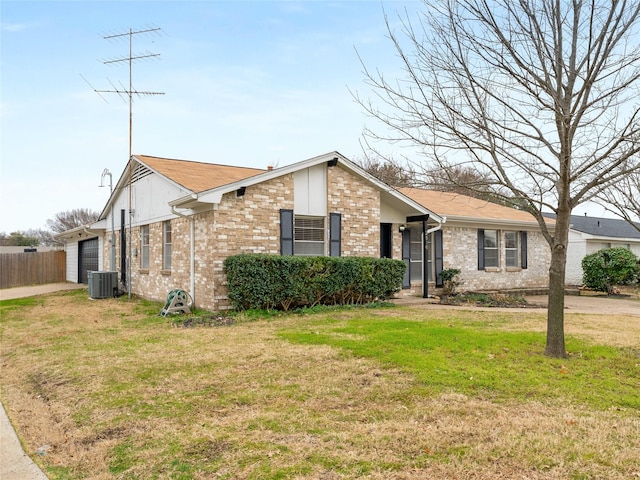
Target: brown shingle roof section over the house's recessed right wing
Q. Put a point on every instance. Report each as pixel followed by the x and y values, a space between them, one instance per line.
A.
pixel 463 207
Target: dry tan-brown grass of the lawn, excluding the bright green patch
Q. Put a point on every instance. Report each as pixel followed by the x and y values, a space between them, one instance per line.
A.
pixel 116 399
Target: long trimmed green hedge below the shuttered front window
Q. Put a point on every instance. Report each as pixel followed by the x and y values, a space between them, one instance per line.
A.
pixel 257 281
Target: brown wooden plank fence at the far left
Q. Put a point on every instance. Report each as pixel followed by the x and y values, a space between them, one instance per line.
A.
pixel 32 268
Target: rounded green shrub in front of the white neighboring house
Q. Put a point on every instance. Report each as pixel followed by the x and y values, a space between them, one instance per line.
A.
pixel 606 268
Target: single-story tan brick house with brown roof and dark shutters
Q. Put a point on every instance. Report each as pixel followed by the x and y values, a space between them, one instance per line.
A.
pixel 187 217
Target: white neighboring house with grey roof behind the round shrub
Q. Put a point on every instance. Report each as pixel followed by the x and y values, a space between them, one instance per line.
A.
pixel 587 235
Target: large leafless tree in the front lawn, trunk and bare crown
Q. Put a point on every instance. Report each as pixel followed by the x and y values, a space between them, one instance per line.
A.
pixel 541 95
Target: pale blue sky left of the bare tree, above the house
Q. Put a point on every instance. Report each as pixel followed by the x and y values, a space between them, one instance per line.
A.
pixel 245 83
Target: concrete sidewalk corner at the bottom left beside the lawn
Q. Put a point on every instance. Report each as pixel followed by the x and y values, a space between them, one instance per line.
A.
pixel 14 463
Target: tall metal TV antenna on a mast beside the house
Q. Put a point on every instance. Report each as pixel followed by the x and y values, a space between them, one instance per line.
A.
pixel 129 93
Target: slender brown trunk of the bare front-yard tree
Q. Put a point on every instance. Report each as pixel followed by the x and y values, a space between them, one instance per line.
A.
pixel 555 310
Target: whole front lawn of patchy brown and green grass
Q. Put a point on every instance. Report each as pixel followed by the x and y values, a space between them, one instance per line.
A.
pixel 115 391
